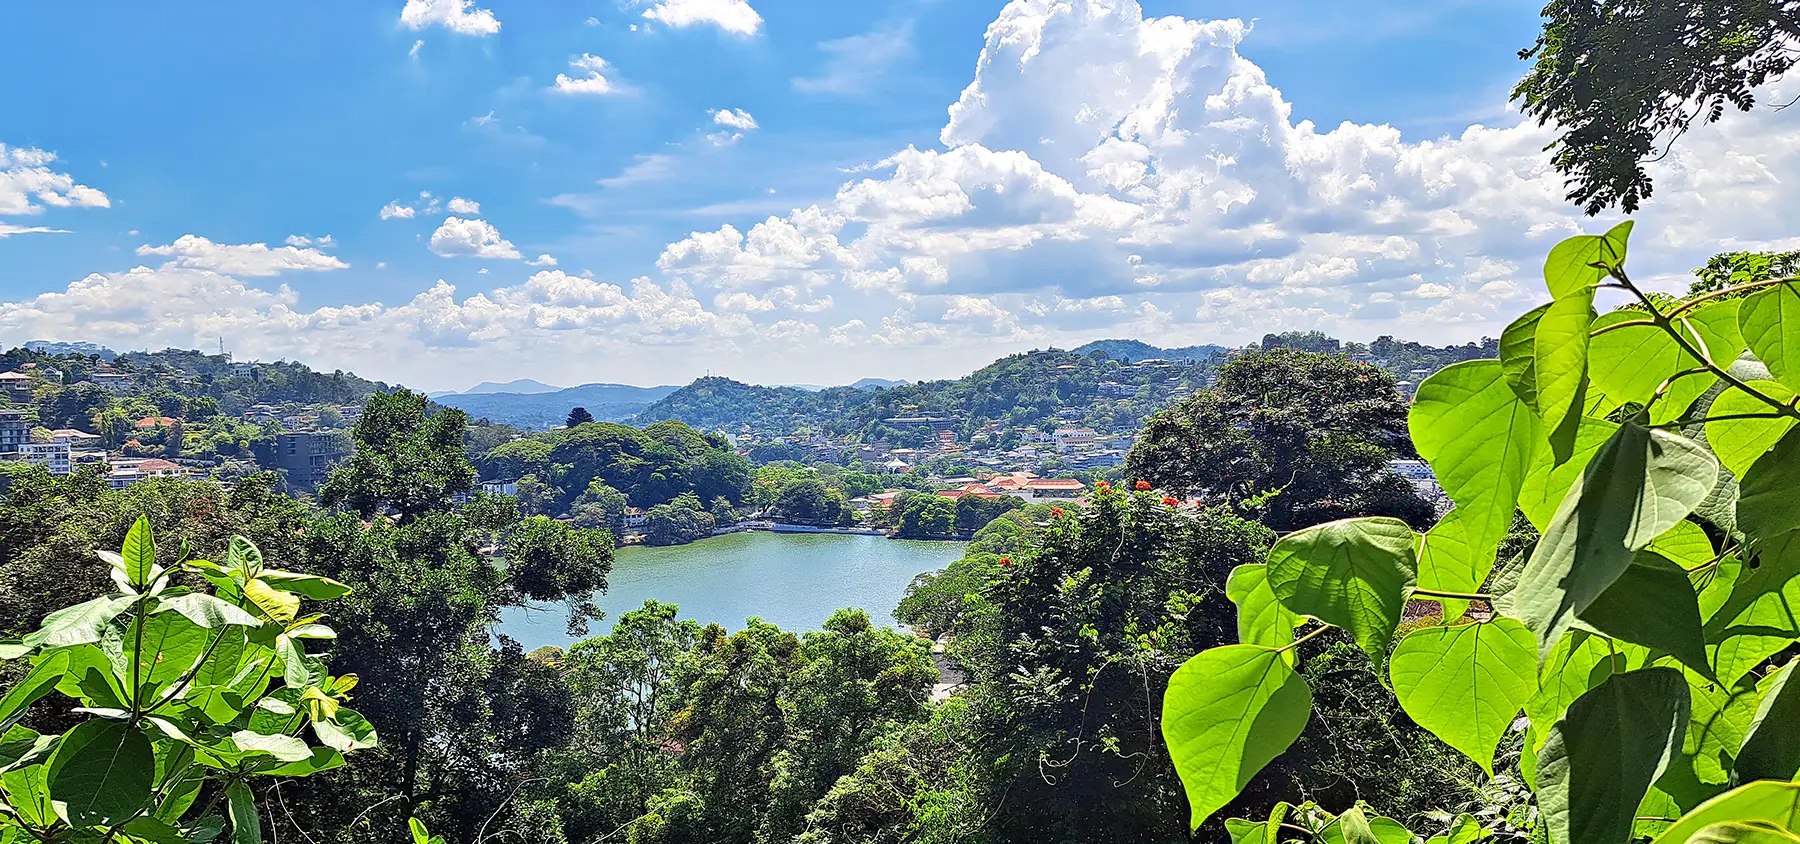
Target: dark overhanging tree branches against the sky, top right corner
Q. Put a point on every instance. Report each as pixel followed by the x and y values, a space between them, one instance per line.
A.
pixel 1624 78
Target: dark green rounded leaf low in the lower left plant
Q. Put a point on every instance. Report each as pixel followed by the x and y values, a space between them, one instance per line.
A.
pixel 102 773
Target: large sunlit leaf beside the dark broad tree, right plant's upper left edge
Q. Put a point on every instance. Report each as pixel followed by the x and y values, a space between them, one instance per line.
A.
pixel 1479 438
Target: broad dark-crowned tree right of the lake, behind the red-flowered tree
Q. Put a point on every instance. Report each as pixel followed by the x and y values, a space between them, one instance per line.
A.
pixel 1288 436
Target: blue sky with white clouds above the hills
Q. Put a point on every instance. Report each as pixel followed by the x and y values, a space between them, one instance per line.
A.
pixel 777 190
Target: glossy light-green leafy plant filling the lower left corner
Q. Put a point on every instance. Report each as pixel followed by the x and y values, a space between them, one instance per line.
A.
pixel 179 706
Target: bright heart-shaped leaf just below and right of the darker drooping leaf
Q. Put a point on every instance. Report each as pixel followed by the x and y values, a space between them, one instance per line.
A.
pixel 1466 683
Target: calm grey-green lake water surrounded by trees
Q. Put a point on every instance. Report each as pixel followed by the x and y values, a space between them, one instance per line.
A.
pixel 789 580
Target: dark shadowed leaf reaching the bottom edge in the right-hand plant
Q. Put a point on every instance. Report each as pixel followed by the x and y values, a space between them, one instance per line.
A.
pixel 1603 757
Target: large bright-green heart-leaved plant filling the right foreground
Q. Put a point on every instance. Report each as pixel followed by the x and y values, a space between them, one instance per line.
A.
pixel 1648 636
